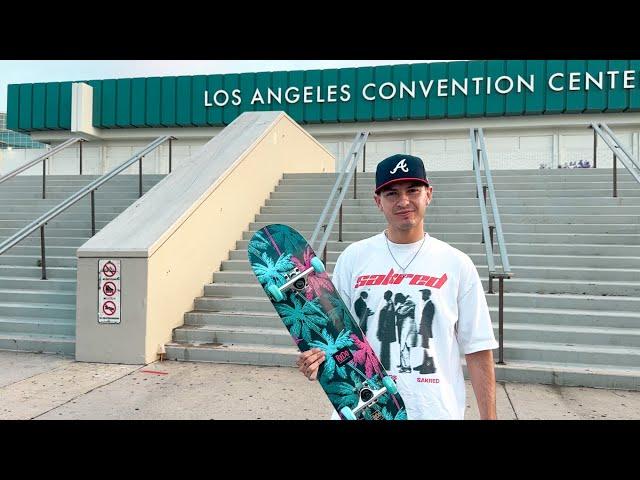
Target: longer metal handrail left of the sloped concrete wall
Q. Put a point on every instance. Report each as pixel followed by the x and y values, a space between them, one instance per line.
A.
pixel 65 204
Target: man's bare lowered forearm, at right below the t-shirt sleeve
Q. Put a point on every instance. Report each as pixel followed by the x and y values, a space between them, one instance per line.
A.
pixel 483 379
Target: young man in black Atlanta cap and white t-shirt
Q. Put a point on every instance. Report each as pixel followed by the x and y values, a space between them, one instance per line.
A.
pixel 404 260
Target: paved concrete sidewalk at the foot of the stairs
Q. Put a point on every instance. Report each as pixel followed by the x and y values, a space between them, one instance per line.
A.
pixel 42 386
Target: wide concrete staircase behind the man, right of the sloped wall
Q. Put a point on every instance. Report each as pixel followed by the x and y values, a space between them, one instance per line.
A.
pixel 572 310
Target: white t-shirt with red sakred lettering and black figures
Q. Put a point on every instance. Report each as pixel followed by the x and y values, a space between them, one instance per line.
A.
pixel 419 322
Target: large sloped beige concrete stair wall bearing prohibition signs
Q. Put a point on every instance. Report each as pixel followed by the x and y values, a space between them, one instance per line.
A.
pixel 173 239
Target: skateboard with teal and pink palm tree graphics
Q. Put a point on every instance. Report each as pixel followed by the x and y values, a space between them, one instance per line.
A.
pixel 304 297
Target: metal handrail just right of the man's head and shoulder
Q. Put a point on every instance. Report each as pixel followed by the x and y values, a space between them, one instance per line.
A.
pixel 480 160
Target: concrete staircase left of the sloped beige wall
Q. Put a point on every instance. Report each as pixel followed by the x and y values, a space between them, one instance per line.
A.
pixel 39 315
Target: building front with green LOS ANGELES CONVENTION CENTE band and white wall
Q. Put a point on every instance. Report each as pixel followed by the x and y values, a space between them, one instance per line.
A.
pixel 535 113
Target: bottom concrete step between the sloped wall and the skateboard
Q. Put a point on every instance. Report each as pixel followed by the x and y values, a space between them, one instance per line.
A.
pixel 240 354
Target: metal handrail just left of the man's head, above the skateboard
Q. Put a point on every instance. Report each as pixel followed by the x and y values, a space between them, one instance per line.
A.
pixel 340 188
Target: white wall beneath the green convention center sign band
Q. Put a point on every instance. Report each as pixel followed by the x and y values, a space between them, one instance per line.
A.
pixel 512 142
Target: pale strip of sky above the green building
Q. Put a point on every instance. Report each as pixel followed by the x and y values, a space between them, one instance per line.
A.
pixel 32 71
